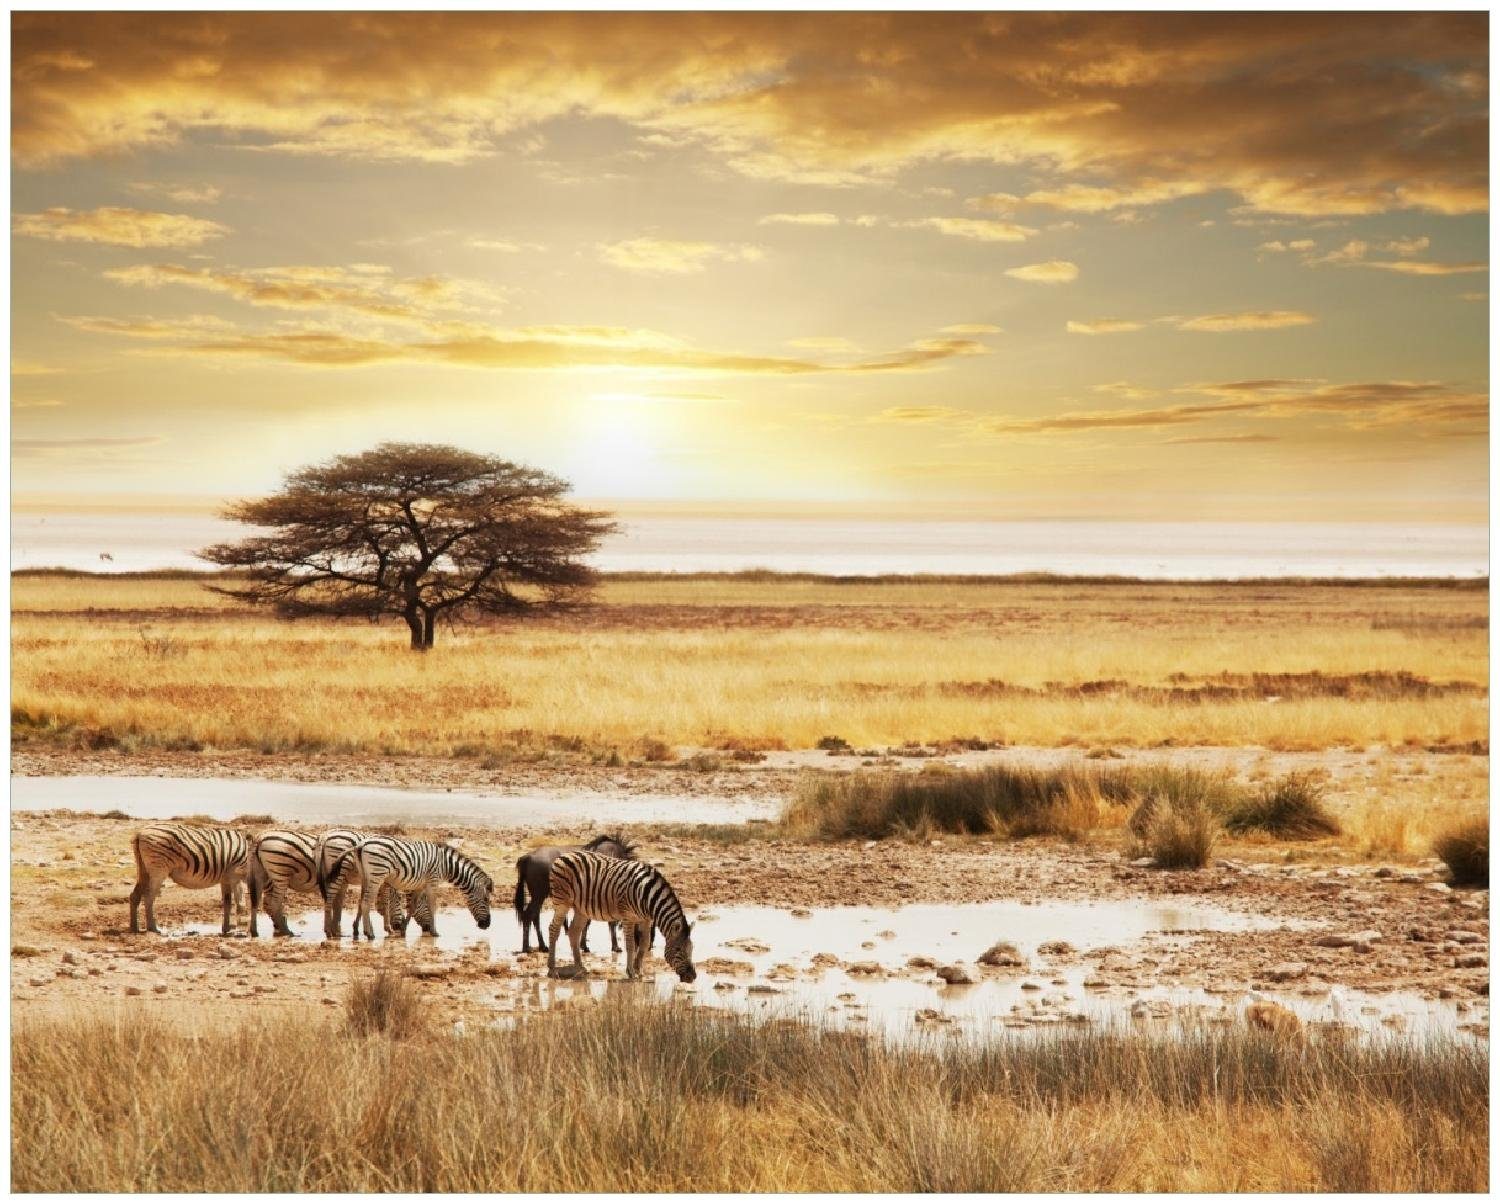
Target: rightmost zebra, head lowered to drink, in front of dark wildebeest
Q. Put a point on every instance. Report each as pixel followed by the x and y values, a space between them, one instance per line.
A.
pixel 631 891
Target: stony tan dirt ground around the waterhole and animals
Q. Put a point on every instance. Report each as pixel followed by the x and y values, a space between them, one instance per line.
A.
pixel 1358 924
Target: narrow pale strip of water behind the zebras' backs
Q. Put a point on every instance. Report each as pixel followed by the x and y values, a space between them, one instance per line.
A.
pixel 302 803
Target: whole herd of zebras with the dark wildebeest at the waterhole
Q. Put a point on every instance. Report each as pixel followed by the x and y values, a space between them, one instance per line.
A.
pixel 400 878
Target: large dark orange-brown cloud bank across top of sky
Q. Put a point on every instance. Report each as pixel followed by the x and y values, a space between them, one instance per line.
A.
pixel 1298 113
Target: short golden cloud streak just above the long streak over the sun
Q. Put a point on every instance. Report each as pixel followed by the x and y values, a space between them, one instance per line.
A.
pixel 362 289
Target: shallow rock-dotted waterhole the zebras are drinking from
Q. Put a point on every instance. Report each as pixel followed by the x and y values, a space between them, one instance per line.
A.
pixel 785 983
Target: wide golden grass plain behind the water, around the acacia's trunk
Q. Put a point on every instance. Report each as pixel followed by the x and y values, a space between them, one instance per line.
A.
pixel 770 663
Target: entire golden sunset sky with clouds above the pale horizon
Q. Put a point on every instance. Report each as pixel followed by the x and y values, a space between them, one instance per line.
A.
pixel 1148 266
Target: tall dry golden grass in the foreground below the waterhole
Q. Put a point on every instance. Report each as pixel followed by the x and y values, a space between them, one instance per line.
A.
pixel 646 1098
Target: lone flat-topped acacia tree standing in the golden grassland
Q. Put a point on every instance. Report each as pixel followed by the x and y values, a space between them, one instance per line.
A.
pixel 422 532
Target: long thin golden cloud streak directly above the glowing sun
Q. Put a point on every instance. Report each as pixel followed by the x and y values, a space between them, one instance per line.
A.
pixel 532 349
